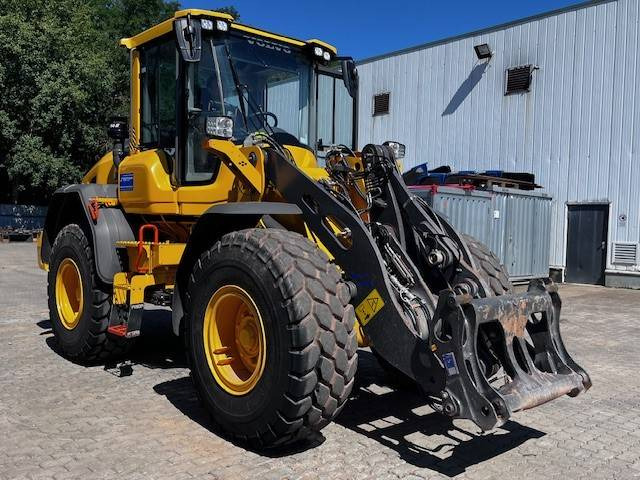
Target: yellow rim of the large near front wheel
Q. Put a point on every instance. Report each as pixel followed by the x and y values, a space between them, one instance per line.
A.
pixel 234 340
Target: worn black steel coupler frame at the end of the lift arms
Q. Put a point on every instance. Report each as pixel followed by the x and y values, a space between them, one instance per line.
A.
pixel 503 354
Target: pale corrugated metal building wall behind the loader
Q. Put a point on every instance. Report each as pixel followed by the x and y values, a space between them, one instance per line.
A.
pixel 576 128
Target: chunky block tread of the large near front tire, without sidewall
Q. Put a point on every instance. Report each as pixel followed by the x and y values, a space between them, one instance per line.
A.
pixel 317 305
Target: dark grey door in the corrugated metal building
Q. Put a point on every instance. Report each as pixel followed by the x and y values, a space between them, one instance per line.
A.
pixel 587 243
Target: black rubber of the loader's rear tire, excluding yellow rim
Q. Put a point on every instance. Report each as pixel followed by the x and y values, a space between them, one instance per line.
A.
pixel 88 341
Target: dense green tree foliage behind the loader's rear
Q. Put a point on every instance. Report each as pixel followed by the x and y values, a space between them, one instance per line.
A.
pixel 62 76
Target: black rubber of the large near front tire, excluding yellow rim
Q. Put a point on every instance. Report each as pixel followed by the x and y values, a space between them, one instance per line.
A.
pixel 311 346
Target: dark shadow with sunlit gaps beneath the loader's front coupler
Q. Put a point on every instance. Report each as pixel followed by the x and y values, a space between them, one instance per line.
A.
pixel 399 419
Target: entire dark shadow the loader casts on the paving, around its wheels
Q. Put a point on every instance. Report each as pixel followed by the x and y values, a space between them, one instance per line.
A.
pixel 395 417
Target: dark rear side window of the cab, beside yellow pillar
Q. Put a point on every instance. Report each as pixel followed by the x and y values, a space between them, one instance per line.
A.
pixel 158 95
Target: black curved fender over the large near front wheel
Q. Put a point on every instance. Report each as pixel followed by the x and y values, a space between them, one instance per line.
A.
pixel 212 225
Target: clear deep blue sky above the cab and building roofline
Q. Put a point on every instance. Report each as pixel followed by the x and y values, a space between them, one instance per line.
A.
pixel 367 28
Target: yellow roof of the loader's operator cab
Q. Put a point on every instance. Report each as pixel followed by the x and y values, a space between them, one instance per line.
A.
pixel 167 26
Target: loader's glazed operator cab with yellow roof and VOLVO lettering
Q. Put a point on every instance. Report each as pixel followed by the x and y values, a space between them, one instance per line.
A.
pixel 203 76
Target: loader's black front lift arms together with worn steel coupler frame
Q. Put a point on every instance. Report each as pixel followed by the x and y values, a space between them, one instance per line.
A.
pixel 482 358
